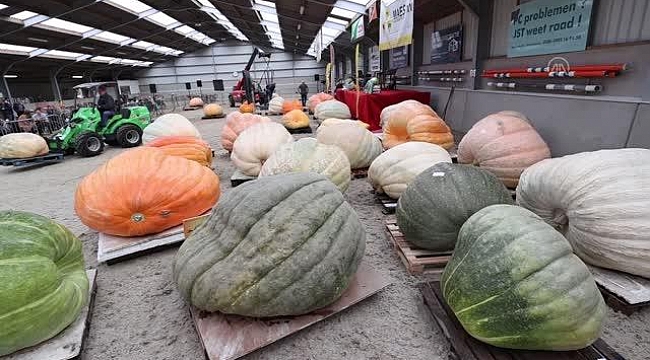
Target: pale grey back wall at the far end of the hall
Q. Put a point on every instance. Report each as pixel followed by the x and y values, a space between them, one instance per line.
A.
pixel 220 61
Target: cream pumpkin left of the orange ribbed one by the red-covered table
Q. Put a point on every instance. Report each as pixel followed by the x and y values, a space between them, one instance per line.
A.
pixel 359 144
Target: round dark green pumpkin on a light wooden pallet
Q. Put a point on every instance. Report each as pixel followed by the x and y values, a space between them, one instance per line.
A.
pixel 439 201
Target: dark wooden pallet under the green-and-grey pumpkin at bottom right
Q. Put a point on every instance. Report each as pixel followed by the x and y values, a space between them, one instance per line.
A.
pixel 465 347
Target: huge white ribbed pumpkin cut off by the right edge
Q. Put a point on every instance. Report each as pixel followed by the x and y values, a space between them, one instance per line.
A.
pixel 600 201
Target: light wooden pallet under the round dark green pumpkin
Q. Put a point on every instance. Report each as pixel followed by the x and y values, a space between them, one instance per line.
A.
pixel 416 260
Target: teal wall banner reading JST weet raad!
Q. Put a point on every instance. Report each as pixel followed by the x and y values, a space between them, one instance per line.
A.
pixel 549 27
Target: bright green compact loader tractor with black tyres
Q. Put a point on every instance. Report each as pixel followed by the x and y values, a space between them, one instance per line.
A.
pixel 83 133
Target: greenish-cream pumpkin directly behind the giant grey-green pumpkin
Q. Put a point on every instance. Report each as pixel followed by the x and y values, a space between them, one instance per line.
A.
pixel 307 155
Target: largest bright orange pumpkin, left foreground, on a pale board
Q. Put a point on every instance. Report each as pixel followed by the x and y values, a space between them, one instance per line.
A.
pixel 143 191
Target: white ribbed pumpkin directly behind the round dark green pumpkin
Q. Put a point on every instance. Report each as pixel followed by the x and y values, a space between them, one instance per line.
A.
pixel 393 170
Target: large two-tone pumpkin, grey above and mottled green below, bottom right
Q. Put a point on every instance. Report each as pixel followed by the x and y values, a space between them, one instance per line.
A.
pixel 514 282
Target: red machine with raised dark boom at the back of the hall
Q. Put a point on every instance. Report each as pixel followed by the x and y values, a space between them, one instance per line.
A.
pixel 248 89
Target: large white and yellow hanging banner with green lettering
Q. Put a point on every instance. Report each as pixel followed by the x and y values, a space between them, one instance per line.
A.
pixel 396 24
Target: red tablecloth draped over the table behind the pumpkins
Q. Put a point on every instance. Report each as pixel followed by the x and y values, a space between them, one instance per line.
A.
pixel 371 105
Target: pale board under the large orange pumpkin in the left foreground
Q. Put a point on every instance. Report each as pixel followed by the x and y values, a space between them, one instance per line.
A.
pixel 112 249
